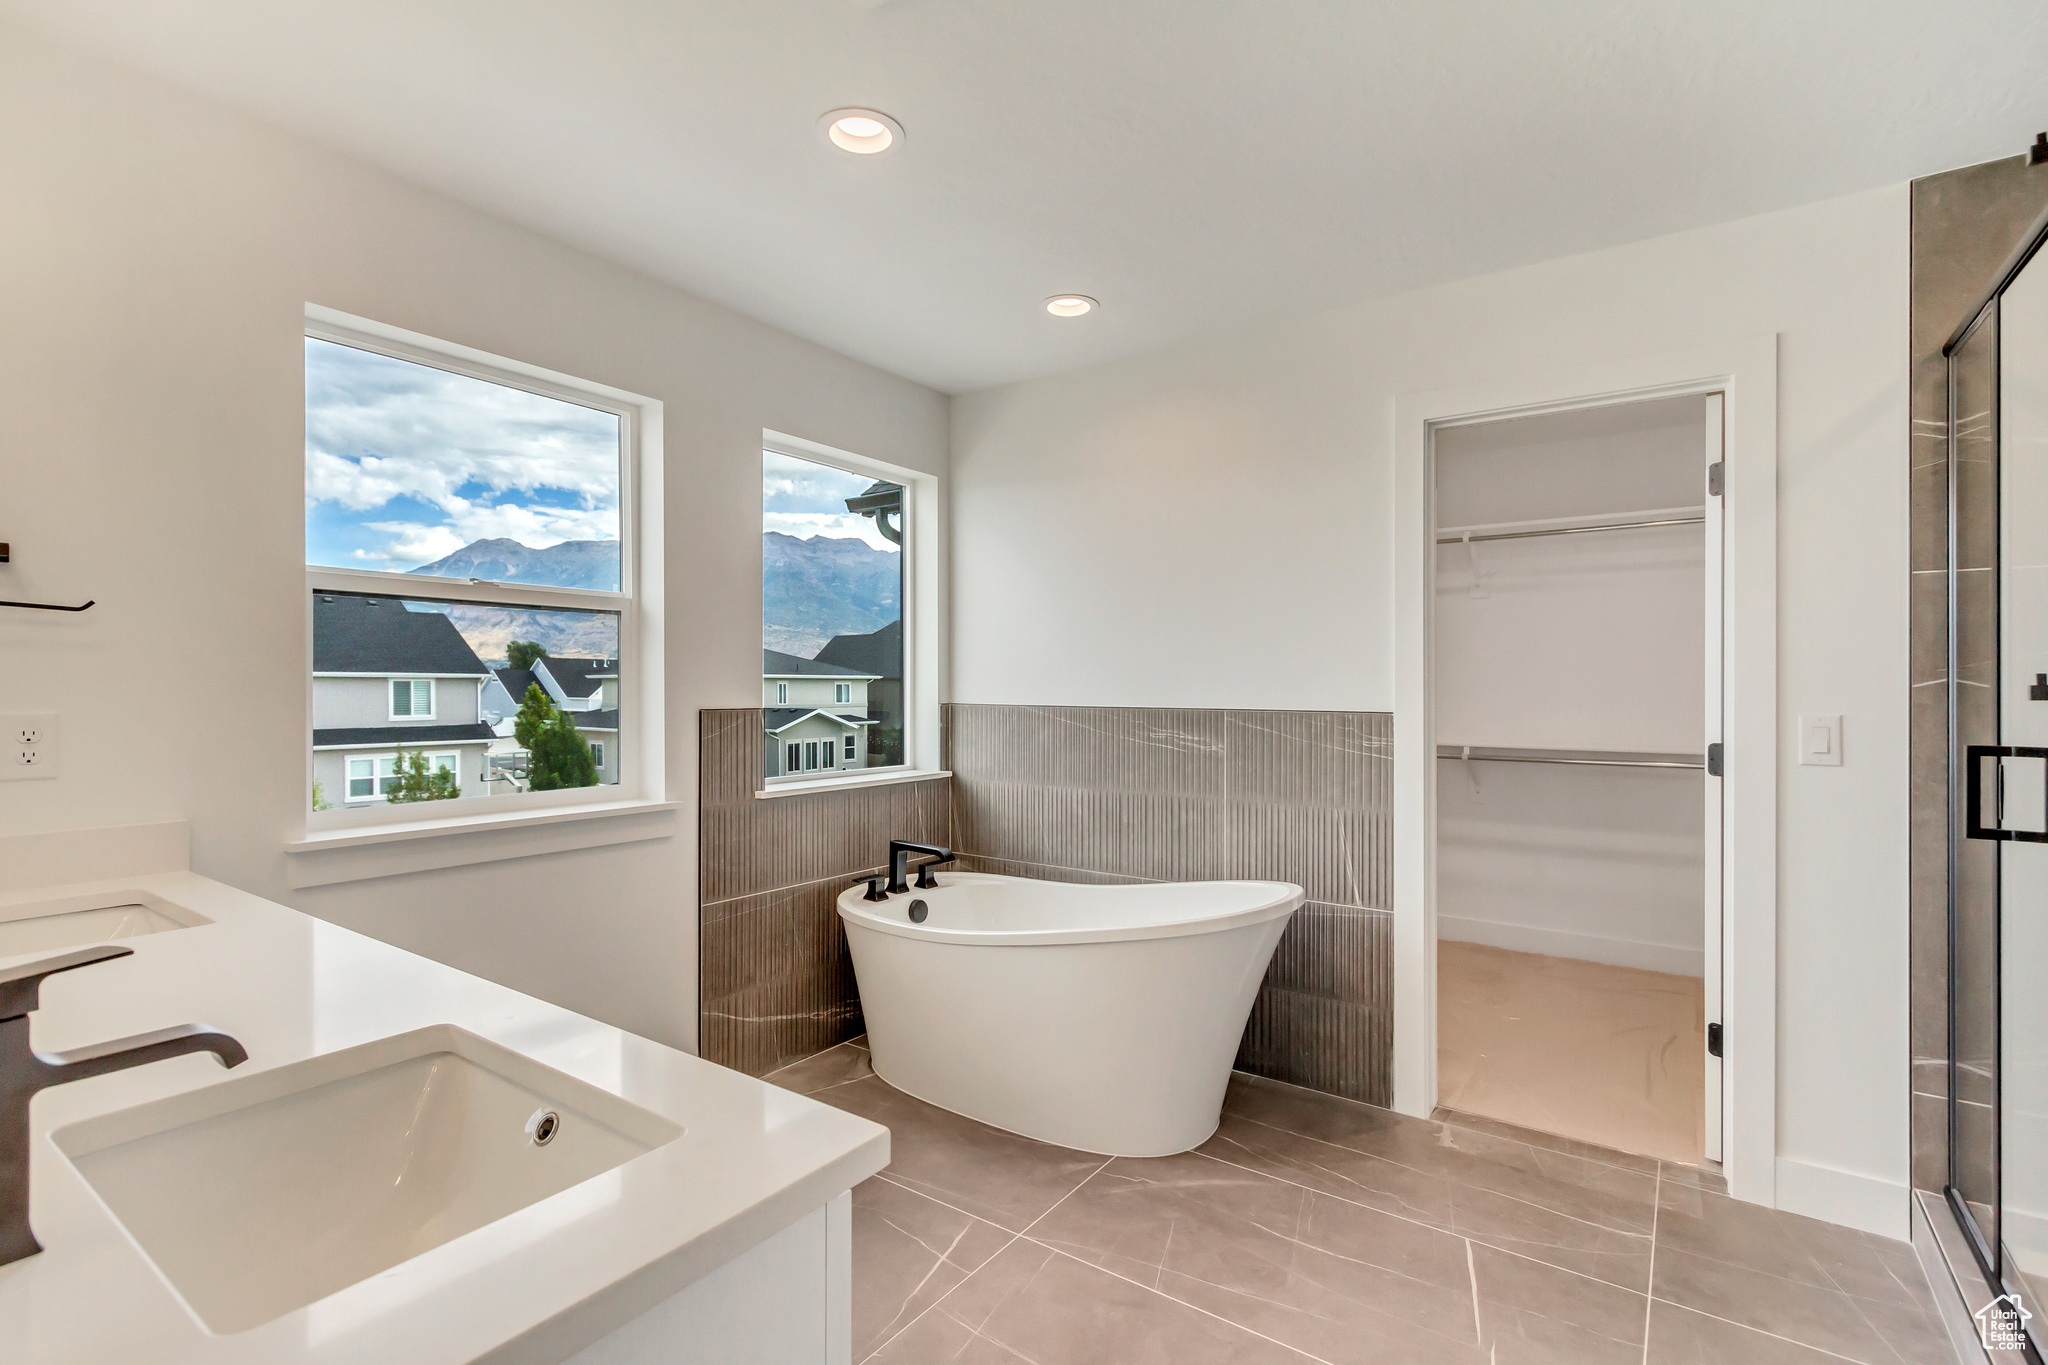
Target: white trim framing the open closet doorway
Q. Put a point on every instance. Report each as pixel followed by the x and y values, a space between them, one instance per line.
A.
pixel 1746 371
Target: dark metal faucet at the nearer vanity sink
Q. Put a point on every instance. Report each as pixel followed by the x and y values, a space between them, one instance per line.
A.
pixel 26 1071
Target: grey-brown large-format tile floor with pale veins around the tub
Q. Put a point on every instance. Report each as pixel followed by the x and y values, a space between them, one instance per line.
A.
pixel 1316 1229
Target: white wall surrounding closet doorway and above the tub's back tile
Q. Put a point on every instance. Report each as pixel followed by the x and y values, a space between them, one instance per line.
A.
pixel 1209 527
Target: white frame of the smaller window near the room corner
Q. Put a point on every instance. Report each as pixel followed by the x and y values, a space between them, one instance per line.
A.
pixel 923 611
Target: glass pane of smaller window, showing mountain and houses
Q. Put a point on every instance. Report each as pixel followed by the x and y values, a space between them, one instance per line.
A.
pixel 833 619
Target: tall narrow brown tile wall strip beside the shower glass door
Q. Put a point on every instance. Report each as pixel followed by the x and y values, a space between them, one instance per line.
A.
pixel 1965 222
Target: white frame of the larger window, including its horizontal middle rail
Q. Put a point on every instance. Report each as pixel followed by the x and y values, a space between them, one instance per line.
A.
pixel 642 760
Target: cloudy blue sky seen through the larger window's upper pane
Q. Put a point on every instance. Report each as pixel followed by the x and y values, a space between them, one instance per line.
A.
pixel 407 464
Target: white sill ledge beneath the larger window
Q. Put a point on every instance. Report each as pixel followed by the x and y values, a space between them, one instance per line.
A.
pixel 421 846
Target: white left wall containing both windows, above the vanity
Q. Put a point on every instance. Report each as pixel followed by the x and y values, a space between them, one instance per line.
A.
pixel 157 257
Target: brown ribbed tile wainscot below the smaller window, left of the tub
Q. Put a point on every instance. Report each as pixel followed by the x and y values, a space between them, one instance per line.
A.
pixel 775 983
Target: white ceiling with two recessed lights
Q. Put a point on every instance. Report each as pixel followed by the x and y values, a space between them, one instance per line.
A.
pixel 1189 163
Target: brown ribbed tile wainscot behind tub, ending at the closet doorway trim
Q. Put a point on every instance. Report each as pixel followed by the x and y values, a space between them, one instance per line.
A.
pixel 1140 795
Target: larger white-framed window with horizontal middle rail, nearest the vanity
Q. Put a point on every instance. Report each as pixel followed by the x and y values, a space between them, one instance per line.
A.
pixel 470 558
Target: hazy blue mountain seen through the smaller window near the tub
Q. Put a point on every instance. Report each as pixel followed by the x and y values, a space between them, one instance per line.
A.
pixel 824 586
